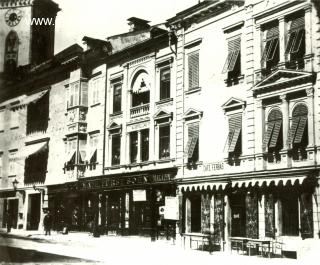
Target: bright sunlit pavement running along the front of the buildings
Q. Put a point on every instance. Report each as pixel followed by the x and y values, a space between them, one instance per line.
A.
pixel 139 250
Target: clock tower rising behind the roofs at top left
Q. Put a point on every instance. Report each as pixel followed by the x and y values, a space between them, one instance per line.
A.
pixel 26 33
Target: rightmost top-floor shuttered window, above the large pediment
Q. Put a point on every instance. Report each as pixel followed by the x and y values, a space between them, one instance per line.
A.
pixel 295 46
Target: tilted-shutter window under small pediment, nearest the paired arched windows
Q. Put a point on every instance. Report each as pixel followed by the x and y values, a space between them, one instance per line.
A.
pixel 234 139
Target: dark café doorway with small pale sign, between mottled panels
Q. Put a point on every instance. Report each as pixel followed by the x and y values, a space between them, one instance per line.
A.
pixel 238 215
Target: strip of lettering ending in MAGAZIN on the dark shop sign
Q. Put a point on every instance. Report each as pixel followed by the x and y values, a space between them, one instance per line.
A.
pixel 125 181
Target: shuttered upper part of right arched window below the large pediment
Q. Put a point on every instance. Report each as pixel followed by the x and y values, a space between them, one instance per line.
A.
pixel 298 134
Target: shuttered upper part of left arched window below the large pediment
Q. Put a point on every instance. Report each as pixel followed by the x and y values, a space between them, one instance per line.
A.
pixel 273 134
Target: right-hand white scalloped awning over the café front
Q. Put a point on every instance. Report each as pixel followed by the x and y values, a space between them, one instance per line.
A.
pixel 268 181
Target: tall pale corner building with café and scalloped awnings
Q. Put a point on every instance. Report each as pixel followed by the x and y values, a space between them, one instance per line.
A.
pixel 247 91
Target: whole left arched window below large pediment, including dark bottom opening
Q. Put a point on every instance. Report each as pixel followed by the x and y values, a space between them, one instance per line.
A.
pixel 273 140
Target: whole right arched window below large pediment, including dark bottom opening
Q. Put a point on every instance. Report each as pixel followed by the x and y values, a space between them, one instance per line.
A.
pixel 298 134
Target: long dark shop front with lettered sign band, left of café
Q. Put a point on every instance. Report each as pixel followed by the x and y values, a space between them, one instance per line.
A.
pixel 126 204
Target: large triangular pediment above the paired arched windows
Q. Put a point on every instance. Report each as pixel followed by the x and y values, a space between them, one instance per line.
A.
pixel 281 79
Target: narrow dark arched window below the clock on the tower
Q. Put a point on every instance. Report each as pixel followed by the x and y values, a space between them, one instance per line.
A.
pixel 11 52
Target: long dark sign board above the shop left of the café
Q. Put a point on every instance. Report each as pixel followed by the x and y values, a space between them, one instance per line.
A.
pixel 124 181
